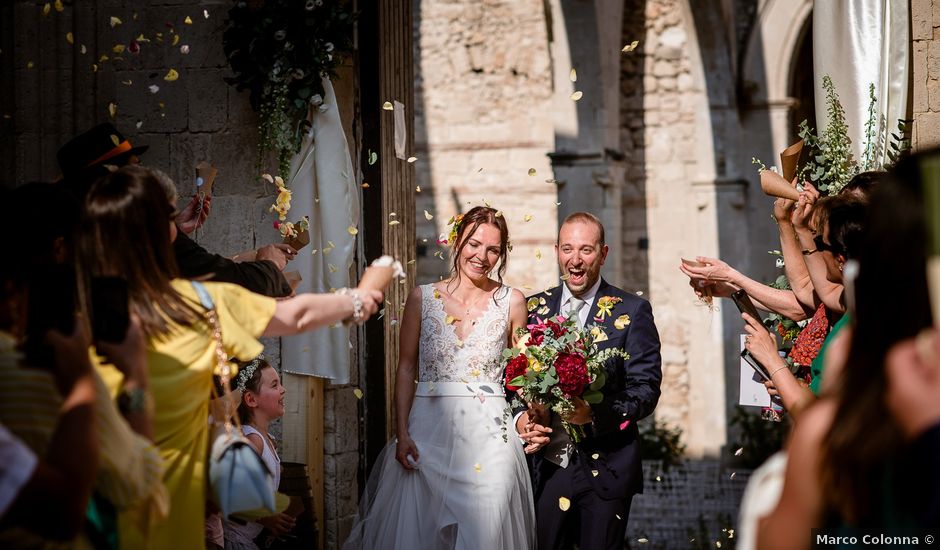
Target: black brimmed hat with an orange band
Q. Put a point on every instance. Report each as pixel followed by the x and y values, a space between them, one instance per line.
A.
pixel 101 145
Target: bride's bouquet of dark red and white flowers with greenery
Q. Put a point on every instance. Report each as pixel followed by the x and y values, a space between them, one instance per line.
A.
pixel 555 362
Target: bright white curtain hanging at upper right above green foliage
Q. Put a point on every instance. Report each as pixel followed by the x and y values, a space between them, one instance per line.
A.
pixel 859 43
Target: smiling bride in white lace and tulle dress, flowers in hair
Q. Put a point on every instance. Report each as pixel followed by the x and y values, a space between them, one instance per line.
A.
pixel 454 477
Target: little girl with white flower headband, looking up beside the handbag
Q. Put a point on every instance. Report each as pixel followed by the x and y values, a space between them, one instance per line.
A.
pixel 262 401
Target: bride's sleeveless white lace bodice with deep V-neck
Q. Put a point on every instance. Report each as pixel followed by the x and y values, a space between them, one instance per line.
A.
pixel 443 357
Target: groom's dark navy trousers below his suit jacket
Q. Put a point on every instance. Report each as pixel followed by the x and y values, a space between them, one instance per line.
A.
pixel 591 521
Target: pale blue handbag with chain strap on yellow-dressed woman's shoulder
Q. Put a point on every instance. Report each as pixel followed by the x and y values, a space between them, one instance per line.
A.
pixel 239 480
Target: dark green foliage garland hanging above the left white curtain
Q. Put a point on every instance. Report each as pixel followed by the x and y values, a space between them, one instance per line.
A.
pixel 279 51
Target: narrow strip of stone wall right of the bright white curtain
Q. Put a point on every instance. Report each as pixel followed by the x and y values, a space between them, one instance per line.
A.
pixel 925 29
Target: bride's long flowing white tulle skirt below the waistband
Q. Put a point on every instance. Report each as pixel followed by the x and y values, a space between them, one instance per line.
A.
pixel 471 489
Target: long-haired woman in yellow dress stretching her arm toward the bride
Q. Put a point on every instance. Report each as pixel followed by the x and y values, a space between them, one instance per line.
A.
pixel 128 231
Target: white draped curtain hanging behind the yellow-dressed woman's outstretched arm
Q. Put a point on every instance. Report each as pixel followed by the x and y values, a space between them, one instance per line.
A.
pixel 324 188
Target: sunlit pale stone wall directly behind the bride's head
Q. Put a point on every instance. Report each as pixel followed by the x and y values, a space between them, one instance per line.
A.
pixel 482 121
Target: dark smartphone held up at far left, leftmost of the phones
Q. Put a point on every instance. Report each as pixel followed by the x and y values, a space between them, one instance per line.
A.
pixel 52 306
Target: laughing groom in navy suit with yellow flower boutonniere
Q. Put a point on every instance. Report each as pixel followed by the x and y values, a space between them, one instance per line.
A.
pixel 598 476
